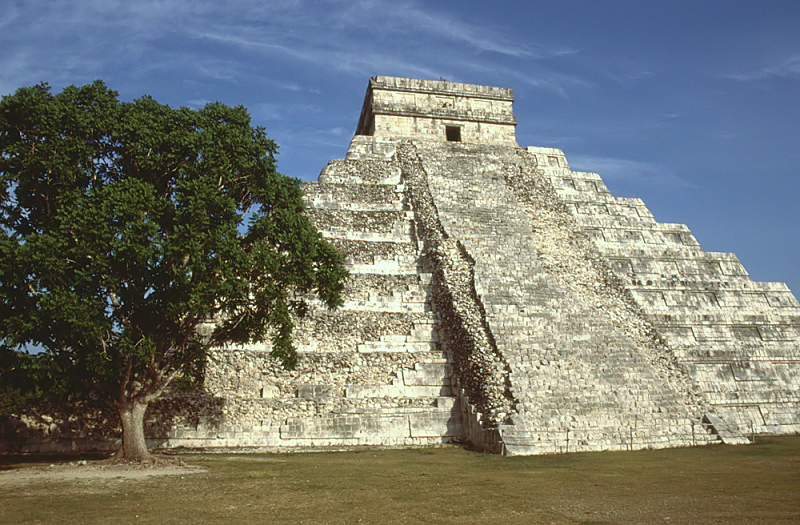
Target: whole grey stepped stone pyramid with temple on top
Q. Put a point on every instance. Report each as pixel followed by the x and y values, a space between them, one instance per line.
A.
pixel 501 299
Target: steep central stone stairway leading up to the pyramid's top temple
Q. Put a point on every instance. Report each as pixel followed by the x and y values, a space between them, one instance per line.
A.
pixel 572 374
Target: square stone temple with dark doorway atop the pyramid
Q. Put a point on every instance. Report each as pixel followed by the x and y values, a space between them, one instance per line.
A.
pixel 437 110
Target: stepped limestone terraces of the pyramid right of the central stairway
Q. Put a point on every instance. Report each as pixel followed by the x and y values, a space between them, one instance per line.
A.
pixel 739 339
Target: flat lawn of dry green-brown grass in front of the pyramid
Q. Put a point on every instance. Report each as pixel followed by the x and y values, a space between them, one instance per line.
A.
pixel 752 484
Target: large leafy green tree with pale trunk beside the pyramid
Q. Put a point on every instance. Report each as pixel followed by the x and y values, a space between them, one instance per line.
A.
pixel 125 226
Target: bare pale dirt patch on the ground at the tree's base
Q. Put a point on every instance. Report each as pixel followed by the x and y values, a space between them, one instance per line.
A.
pixel 91 470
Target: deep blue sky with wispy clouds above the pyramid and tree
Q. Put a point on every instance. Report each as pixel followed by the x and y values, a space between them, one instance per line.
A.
pixel 693 106
